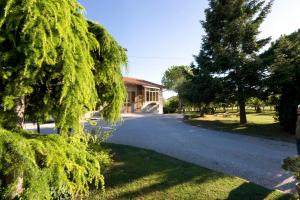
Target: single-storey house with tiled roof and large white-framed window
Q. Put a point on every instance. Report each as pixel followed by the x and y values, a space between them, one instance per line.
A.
pixel 143 96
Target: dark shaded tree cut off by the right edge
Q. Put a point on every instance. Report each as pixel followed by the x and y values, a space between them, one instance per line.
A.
pixel 284 62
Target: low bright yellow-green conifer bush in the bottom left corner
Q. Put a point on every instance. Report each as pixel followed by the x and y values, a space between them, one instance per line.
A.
pixel 36 166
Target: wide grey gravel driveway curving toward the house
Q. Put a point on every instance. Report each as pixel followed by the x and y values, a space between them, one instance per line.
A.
pixel 255 159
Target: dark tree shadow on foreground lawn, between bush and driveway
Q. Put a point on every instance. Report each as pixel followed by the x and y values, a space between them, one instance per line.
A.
pixel 138 164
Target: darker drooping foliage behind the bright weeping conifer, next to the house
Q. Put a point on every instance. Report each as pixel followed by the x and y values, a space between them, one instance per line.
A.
pixel 109 60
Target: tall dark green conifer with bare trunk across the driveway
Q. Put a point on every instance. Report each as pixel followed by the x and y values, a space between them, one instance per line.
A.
pixel 230 46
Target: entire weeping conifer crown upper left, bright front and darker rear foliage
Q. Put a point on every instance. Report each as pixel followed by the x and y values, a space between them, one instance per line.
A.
pixel 48 62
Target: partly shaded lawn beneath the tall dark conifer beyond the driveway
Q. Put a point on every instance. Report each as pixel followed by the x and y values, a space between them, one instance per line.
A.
pixel 259 124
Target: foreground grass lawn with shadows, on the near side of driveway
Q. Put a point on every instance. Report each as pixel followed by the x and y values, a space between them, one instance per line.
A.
pixel 142 174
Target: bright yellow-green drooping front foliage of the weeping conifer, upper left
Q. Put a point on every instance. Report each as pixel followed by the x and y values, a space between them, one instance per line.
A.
pixel 46 44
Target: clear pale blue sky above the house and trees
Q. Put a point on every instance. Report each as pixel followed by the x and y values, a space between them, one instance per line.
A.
pixel 159 34
